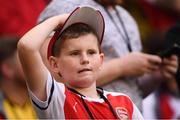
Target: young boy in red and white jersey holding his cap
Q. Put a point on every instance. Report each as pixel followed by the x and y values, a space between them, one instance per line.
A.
pixel 74 53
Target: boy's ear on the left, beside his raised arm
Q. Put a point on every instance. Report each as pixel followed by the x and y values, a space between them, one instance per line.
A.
pixel 53 64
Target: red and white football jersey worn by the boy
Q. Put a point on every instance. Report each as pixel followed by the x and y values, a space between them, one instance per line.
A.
pixel 62 103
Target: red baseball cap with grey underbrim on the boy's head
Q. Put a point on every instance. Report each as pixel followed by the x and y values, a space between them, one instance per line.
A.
pixel 85 15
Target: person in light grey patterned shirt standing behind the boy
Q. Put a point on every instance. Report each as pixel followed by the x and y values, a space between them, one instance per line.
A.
pixel 122 46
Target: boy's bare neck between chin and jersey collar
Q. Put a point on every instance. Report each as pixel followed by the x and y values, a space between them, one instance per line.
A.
pixel 90 92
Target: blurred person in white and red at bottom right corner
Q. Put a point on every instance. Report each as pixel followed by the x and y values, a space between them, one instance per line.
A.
pixel 163 103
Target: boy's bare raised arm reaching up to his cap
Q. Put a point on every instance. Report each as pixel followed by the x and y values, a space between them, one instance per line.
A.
pixel 29 54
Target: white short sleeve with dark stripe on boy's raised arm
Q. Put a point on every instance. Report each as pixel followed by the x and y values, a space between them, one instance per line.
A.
pixel 53 106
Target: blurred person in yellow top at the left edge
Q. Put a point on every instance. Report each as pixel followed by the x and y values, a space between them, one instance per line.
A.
pixel 14 101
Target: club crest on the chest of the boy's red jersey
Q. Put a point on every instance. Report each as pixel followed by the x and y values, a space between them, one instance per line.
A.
pixel 122 113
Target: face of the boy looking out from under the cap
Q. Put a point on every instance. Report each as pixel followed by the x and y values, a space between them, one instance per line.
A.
pixel 80 60
